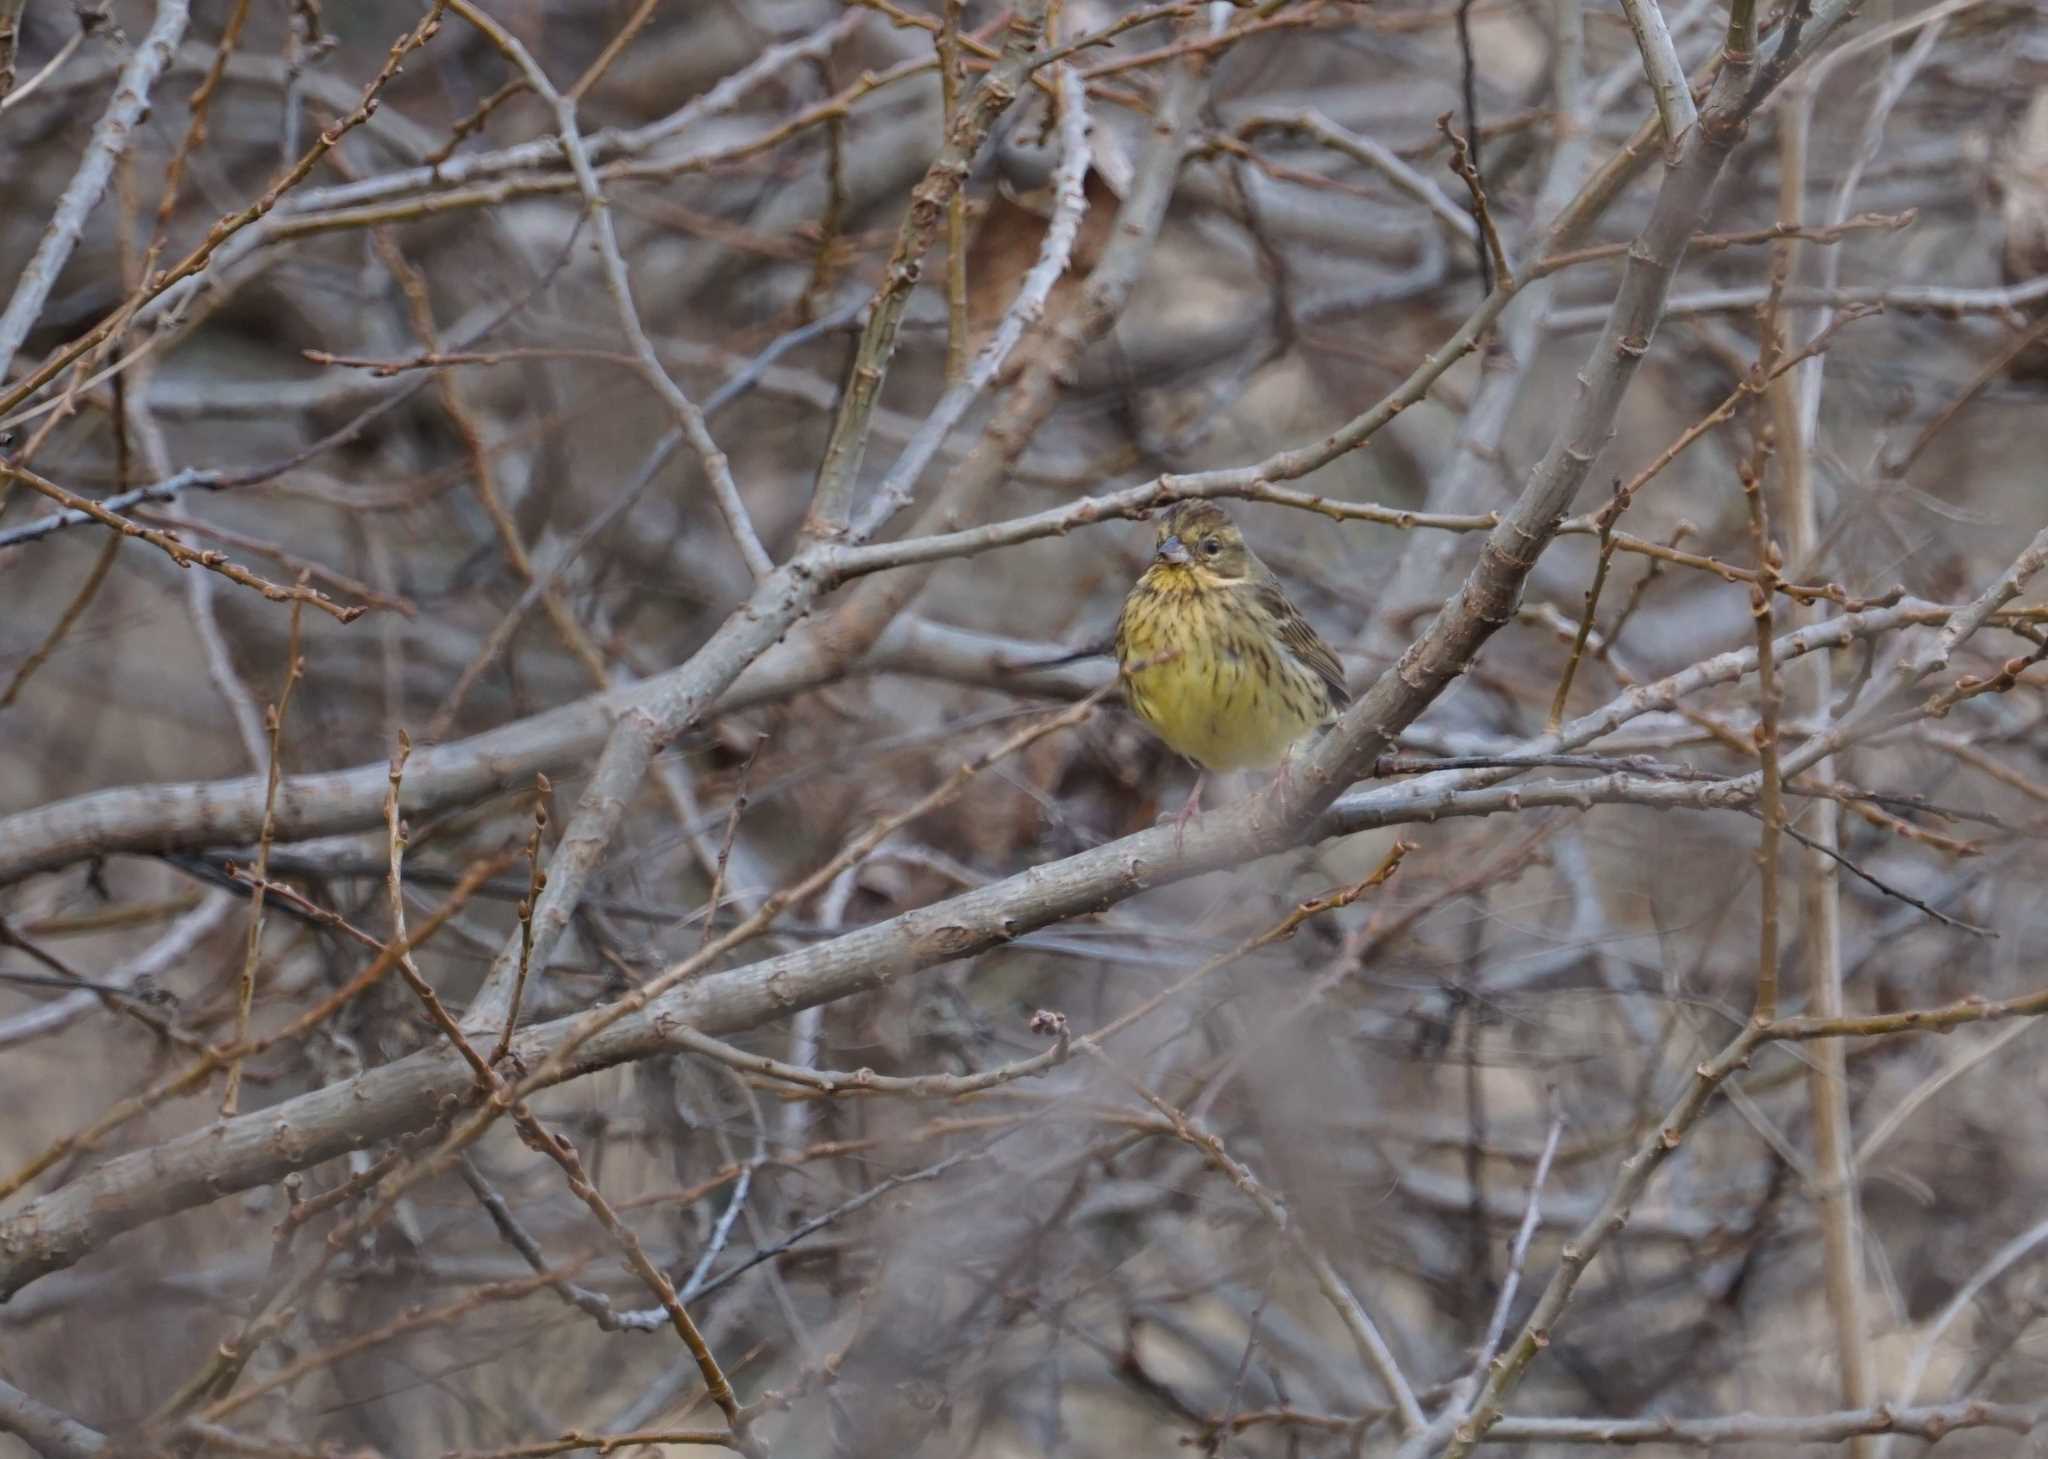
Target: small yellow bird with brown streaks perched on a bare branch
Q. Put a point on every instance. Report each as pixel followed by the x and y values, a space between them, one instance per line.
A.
pixel 1215 657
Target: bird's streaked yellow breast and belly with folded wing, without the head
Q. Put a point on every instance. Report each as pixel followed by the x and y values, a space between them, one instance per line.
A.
pixel 1209 677
